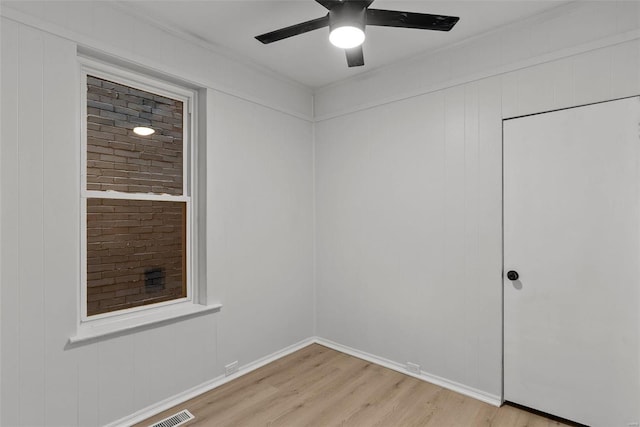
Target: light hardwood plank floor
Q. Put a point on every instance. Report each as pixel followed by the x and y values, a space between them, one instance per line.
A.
pixel 318 386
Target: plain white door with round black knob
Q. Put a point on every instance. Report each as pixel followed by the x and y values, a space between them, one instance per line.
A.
pixel 572 233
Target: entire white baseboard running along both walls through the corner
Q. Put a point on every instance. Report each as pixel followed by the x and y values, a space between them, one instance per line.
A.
pixel 179 398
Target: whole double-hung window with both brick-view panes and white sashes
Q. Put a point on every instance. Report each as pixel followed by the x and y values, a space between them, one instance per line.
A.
pixel 136 194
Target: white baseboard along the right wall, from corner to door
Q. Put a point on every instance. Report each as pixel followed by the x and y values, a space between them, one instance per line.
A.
pixel 424 376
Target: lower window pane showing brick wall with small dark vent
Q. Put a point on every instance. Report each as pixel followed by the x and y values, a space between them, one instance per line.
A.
pixel 136 253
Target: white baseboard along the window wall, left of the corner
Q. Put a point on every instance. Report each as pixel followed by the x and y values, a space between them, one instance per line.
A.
pixel 179 398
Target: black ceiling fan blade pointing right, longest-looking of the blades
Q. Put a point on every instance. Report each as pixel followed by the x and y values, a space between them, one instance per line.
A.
pixel 422 21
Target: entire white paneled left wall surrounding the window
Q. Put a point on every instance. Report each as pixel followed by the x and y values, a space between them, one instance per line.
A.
pixel 259 228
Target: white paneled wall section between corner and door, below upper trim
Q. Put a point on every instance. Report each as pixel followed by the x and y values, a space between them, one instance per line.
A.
pixel 409 232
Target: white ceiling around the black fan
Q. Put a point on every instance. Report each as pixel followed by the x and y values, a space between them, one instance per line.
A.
pixel 230 26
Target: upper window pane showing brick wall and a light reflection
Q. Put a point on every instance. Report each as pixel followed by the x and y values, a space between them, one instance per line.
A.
pixel 120 160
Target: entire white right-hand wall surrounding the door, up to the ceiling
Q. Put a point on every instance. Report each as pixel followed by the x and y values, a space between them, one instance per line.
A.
pixel 408 184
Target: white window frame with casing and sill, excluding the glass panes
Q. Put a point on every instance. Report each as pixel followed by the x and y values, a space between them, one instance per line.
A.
pixel 90 327
